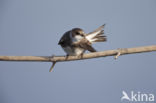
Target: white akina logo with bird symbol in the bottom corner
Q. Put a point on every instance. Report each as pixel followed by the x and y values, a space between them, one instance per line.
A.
pixel 137 97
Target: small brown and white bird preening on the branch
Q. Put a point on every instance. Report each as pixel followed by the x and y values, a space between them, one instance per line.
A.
pixel 75 41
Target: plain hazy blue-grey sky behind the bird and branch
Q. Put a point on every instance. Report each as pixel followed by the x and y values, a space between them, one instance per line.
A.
pixel 34 27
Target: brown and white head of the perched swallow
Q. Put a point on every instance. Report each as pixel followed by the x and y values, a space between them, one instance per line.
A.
pixel 78 33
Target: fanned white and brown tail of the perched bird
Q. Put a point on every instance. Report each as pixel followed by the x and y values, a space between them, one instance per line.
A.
pixel 96 35
